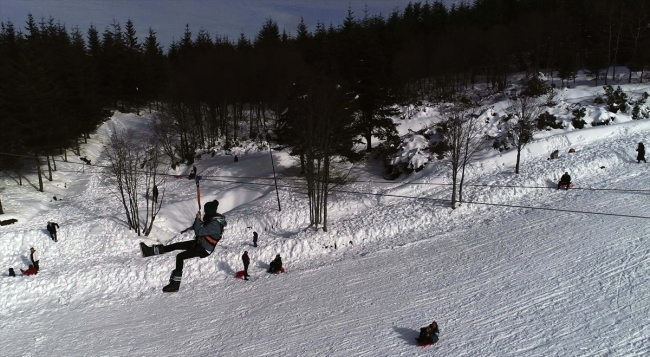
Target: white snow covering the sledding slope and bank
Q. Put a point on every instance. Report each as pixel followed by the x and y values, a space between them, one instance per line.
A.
pixel 499 280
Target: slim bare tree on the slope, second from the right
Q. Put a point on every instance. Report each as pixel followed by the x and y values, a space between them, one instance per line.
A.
pixel 462 132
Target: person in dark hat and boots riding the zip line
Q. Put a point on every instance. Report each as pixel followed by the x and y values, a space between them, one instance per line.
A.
pixel 208 233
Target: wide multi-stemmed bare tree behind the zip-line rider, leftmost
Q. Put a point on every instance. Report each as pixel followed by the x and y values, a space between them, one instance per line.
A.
pixel 132 170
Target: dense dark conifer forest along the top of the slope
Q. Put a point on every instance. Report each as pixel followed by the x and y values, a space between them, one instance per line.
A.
pixel 54 82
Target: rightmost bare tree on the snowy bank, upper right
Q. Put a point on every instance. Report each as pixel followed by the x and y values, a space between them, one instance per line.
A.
pixel 524 111
